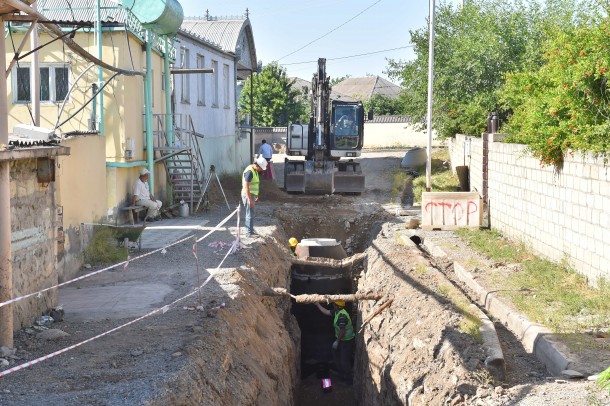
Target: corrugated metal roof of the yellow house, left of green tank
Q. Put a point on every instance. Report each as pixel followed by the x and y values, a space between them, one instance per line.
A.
pixel 81 10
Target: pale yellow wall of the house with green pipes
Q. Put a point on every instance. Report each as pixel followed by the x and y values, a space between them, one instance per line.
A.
pixel 123 107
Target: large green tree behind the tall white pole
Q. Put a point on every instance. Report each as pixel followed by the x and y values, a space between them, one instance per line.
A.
pixel 475 47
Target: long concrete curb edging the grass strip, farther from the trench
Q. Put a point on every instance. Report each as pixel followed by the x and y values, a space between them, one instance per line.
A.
pixel 536 338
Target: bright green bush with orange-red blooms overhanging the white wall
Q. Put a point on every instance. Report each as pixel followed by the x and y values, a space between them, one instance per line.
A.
pixel 564 106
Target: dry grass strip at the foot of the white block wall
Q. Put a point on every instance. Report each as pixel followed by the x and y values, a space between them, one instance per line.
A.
pixel 547 292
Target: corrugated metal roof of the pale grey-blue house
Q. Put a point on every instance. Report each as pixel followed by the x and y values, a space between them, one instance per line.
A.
pixel 223 33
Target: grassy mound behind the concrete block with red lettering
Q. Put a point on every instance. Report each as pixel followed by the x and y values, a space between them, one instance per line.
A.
pixel 442 178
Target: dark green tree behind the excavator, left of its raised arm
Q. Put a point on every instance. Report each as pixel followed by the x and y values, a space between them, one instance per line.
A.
pixel 275 100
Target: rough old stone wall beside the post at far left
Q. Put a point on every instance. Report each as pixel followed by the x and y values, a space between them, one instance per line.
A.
pixel 33 242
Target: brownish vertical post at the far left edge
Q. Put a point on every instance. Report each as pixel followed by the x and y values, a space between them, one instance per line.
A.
pixel 6 271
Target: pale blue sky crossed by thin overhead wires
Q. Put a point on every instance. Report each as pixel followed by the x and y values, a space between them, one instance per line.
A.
pixel 281 27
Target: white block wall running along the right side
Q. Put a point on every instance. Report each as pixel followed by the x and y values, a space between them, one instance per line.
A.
pixel 563 215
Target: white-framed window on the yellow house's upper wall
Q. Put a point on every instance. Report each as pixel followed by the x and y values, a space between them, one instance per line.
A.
pixel 54 83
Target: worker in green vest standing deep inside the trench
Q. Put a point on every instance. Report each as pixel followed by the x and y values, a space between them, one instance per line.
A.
pixel 344 344
